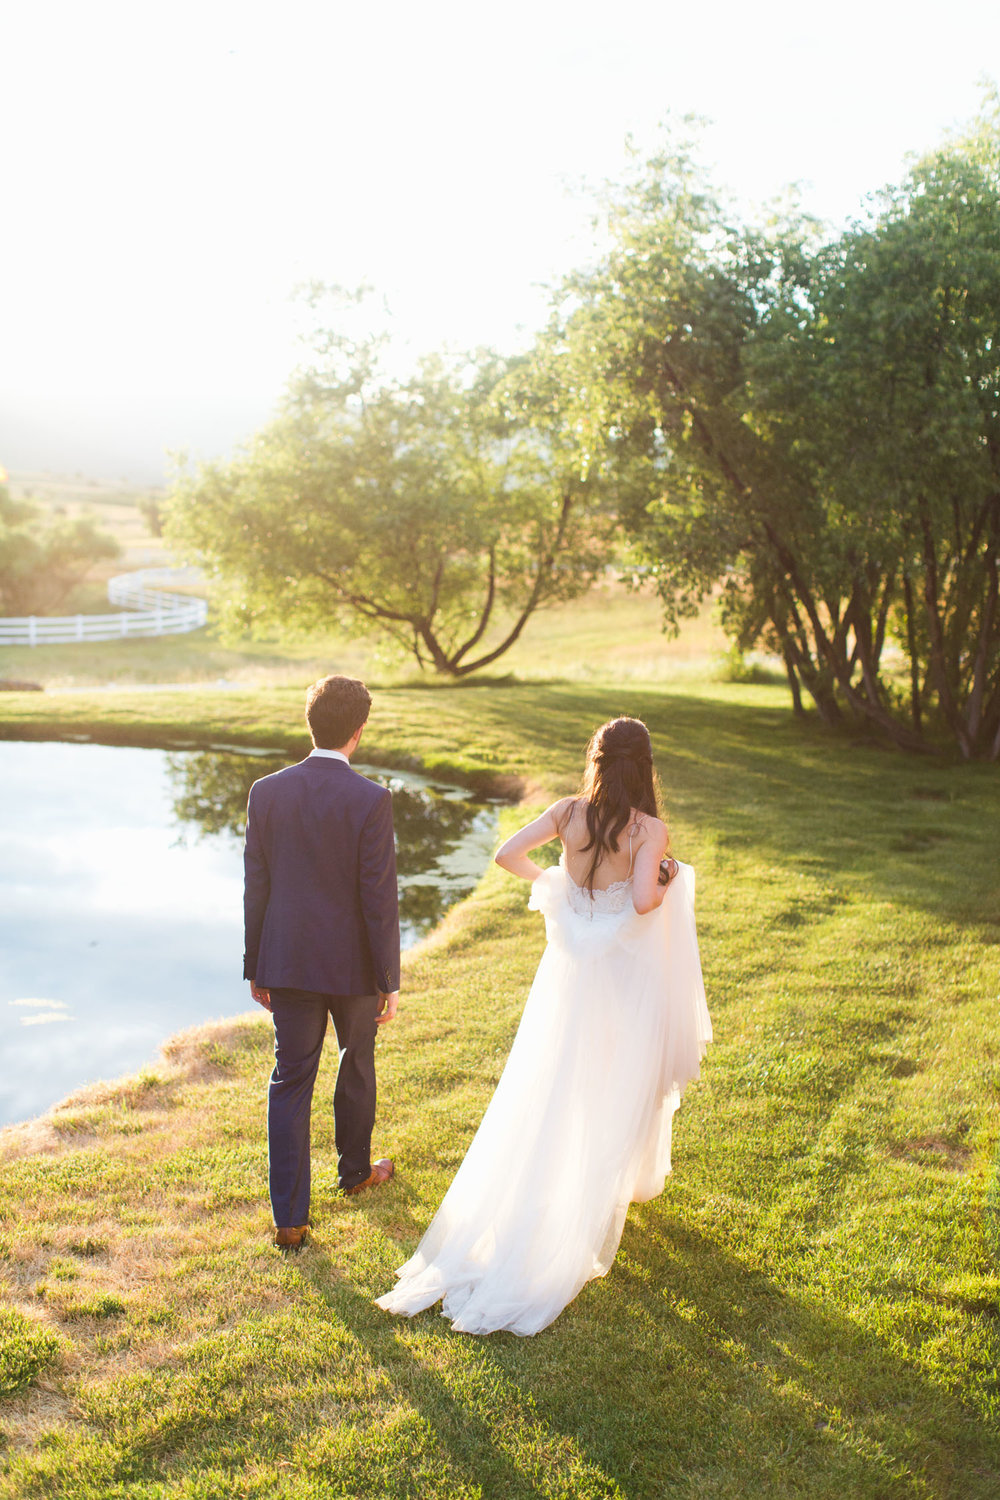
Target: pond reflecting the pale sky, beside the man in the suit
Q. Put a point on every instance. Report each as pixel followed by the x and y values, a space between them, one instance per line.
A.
pixel 122 899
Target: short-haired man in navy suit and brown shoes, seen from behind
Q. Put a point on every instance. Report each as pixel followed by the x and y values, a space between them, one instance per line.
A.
pixel 322 940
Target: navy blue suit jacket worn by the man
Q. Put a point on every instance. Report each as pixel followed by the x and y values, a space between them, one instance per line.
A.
pixel 322 902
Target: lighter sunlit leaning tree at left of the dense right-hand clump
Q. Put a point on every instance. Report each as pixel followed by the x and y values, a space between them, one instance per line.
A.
pixel 672 320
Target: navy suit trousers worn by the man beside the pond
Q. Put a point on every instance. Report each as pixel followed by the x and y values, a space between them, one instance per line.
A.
pixel 301 1025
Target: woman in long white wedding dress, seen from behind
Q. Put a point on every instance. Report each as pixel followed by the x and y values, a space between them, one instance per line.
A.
pixel 615 1027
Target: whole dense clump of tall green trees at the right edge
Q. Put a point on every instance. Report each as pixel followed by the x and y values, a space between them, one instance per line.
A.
pixel 819 427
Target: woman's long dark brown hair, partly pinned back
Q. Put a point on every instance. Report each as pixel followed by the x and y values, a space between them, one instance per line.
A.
pixel 618 778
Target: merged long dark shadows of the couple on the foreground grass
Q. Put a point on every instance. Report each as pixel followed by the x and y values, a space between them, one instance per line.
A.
pixel 683 1373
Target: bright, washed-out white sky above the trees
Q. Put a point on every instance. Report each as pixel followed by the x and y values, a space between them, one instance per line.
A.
pixel 172 172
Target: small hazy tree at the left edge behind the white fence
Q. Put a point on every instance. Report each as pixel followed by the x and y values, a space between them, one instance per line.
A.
pixel 41 563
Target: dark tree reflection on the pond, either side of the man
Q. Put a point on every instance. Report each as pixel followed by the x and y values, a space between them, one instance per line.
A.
pixel 443 836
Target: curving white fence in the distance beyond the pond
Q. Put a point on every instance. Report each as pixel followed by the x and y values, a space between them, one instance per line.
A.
pixel 148 611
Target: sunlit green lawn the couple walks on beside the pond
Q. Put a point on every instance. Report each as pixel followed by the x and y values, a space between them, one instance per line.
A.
pixel 812 1309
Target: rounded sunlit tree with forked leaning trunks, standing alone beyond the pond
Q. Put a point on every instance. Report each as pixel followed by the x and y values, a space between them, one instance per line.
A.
pixel 439 511
